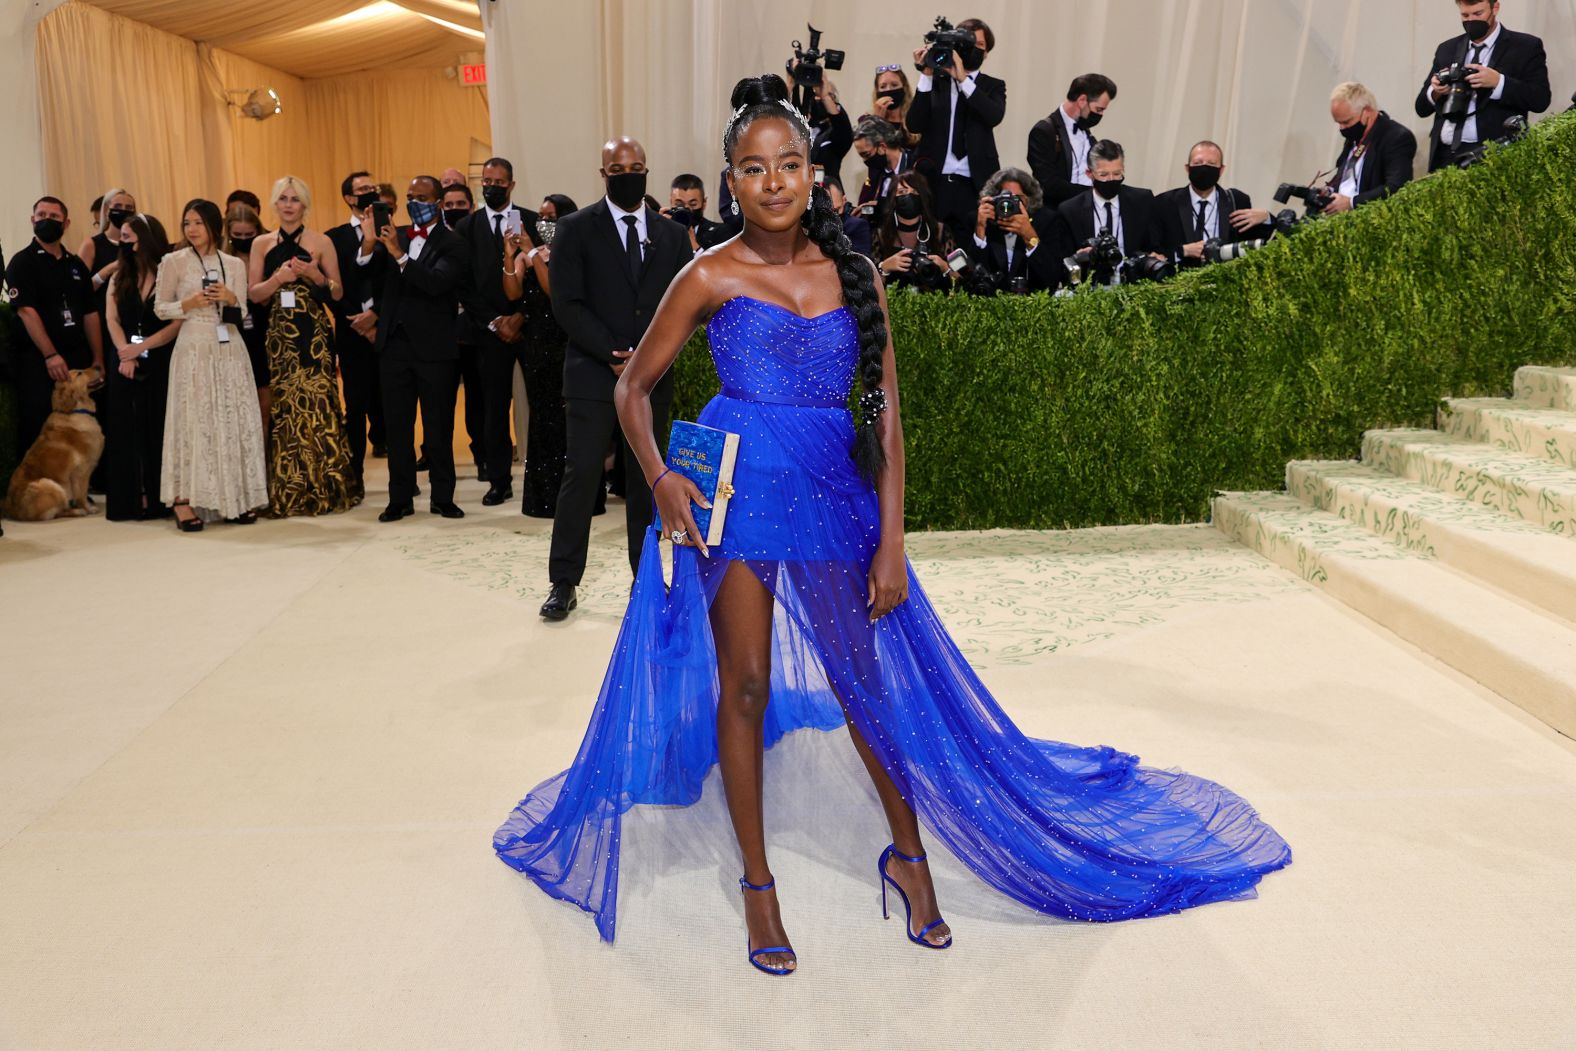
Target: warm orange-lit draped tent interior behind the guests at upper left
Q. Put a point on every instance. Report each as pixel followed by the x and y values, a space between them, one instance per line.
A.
pixel 143 94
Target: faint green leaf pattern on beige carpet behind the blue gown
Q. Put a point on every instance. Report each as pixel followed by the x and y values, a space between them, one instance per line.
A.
pixel 1006 596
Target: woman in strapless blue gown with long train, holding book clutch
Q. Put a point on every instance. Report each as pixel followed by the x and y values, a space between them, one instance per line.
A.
pixel 808 615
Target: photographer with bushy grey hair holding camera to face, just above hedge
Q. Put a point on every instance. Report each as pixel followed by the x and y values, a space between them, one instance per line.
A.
pixel 1008 231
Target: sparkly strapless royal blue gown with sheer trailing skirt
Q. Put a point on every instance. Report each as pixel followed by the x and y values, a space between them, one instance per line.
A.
pixel 1076 833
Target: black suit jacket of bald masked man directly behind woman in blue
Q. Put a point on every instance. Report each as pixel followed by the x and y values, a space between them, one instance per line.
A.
pixel 597 300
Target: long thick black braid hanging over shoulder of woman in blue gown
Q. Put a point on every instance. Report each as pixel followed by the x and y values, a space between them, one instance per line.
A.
pixel 860 295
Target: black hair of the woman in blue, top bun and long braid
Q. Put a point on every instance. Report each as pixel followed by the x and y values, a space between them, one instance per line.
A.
pixel 756 98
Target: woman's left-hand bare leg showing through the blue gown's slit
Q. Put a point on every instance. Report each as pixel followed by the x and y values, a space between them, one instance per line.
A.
pixel 742 625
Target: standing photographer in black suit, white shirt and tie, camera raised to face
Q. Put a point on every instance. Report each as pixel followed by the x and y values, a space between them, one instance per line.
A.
pixel 957 121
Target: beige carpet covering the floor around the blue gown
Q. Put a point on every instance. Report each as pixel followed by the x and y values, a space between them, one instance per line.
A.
pixel 248 782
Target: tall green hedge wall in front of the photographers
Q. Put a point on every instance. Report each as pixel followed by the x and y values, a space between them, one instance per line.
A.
pixel 1136 406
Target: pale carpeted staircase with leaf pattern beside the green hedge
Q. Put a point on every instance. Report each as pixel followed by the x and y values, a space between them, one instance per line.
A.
pixel 1460 540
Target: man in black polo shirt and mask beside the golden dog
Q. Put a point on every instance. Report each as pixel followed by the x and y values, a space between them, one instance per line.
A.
pixel 56 318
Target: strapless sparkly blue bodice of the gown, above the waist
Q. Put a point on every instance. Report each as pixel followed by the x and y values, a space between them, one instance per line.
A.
pixel 768 354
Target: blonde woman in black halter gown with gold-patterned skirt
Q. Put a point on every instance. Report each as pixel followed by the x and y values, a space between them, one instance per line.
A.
pixel 297 272
